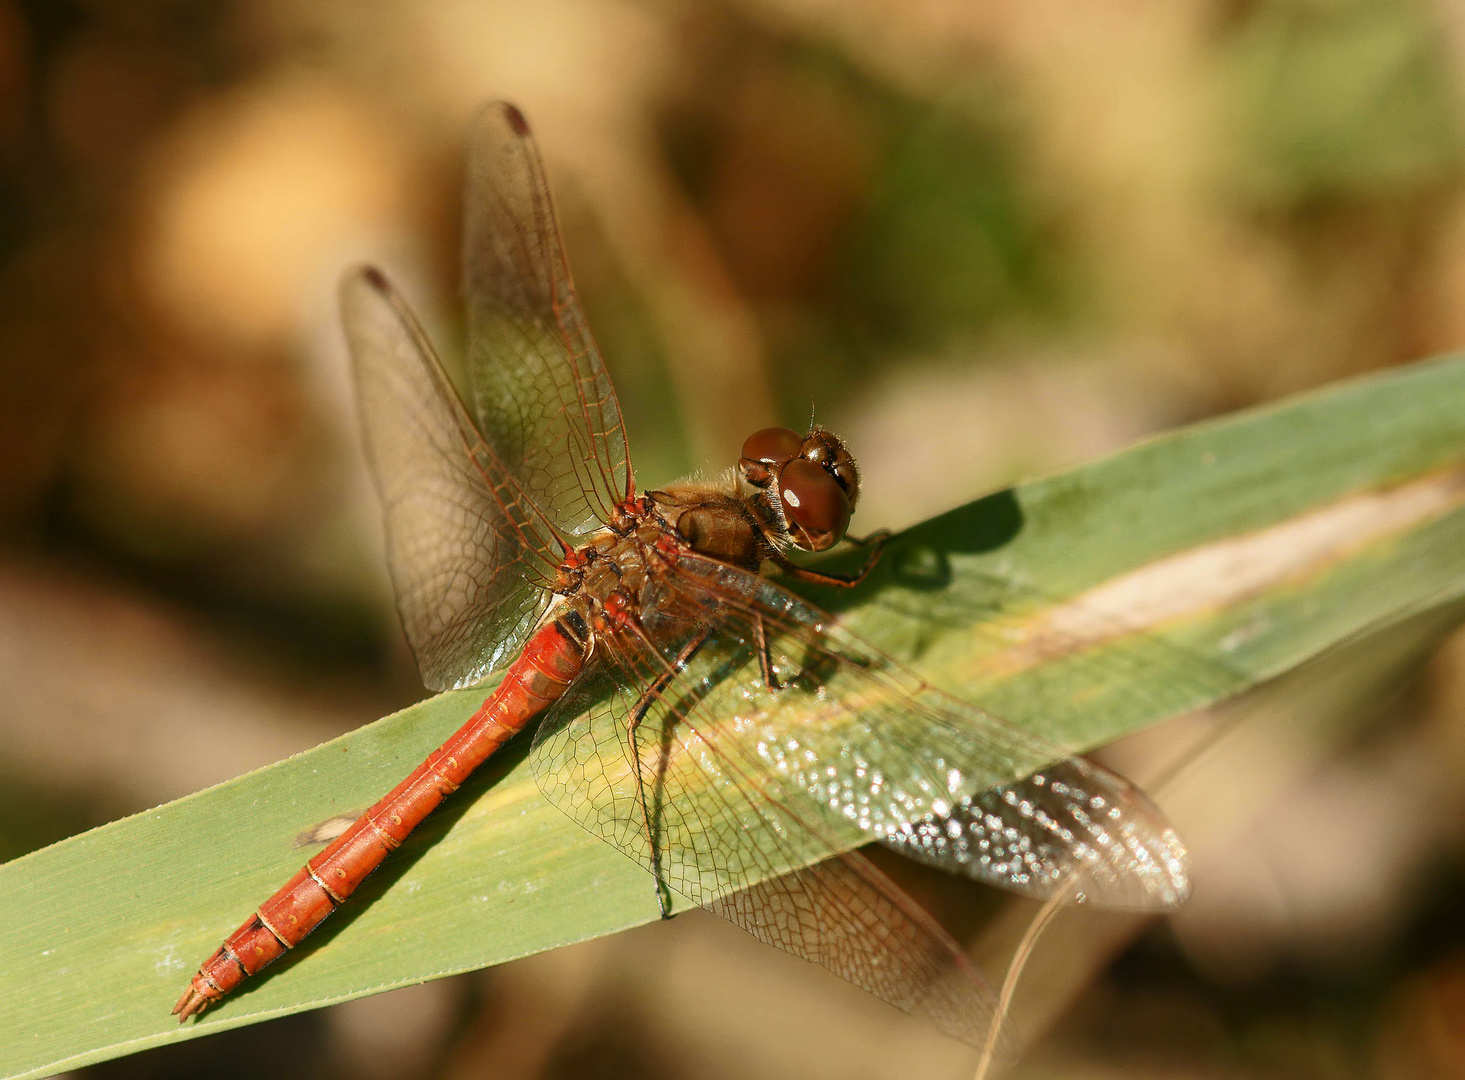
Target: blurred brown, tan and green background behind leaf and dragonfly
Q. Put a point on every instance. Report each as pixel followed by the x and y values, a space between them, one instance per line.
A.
pixel 981 238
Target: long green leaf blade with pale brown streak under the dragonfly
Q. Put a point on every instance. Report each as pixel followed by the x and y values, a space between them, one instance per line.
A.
pixel 1083 606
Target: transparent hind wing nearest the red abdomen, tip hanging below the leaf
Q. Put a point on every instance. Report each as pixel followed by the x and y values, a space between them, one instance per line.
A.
pixel 733 839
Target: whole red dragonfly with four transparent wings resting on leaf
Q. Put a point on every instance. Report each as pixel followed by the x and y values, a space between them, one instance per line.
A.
pixel 695 713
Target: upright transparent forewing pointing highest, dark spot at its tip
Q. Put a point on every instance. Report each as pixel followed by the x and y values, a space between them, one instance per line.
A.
pixel 540 391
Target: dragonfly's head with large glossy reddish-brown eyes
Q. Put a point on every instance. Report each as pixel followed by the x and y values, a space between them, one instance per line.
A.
pixel 811 480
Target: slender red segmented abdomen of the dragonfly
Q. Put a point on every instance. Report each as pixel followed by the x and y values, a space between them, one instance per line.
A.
pixel 538 679
